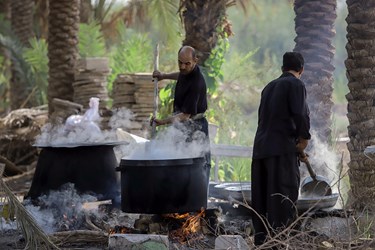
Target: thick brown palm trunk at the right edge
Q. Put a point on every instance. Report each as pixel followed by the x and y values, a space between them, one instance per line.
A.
pixel 360 66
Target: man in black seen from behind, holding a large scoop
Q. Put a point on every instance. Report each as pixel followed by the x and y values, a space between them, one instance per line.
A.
pixel 280 140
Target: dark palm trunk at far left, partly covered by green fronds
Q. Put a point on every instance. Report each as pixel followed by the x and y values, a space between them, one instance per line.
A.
pixel 22 26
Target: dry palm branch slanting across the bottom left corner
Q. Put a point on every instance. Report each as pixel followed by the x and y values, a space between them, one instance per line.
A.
pixel 34 236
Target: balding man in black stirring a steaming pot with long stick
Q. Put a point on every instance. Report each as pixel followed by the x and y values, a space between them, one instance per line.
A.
pixel 190 97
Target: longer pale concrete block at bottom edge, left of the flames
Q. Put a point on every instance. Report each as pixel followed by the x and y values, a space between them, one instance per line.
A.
pixel 138 242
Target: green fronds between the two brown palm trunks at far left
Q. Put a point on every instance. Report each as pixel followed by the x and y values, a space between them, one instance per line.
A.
pixel 37 58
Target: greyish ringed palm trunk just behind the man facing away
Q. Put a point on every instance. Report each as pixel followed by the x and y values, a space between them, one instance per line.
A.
pixel 314 25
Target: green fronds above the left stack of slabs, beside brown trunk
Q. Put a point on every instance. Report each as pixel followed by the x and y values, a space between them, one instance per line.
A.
pixel 91 40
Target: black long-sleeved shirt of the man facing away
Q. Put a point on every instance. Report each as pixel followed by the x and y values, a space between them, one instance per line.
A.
pixel 283 117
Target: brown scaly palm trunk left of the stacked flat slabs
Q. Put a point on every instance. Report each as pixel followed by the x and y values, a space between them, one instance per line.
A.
pixel 63 25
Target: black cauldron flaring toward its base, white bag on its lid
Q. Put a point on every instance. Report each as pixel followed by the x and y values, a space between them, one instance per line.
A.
pixel 90 168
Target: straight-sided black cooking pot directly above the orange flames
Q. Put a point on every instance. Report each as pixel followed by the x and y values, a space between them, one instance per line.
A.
pixel 164 186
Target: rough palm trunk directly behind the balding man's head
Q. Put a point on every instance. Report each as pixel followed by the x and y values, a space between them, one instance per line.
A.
pixel 201 20
